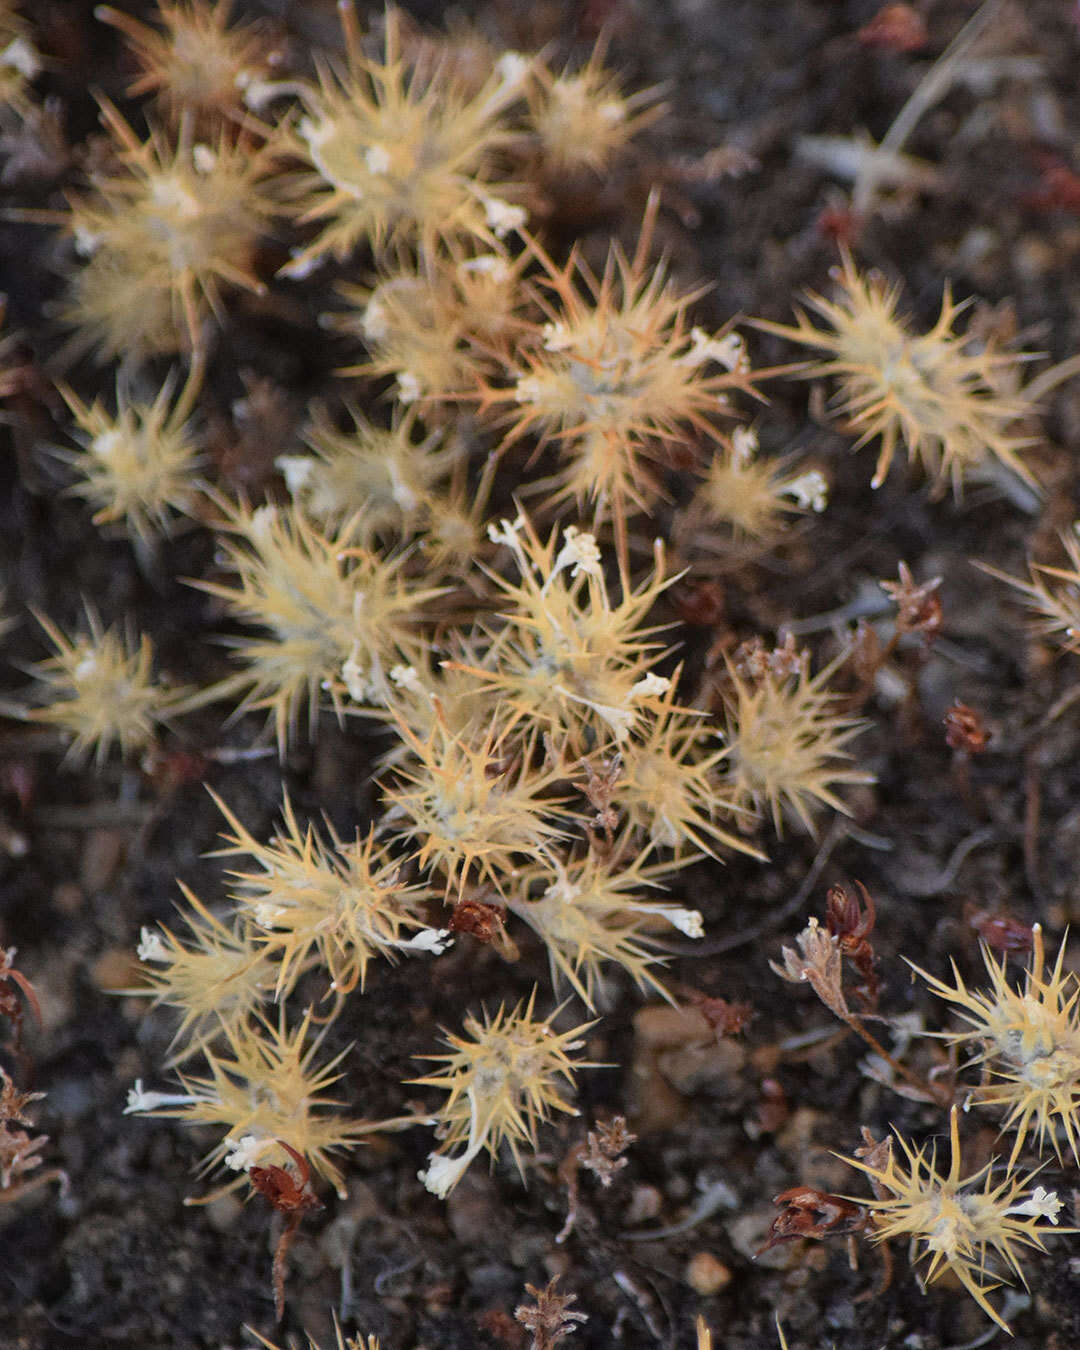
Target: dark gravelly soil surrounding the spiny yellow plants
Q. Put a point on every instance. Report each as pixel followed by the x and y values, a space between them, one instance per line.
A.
pixel 119 1260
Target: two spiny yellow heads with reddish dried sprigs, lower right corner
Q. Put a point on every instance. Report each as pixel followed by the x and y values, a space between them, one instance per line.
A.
pixel 1027 1042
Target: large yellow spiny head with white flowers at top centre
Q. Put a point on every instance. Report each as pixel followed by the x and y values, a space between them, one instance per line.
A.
pixel 400 161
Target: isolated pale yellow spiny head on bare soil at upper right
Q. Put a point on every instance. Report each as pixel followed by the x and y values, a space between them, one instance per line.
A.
pixel 940 395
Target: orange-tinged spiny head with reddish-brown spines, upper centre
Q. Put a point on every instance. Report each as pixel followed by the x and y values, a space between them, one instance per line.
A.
pixel 616 376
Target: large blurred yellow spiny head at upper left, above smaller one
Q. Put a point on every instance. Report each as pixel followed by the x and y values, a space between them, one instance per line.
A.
pixel 165 237
